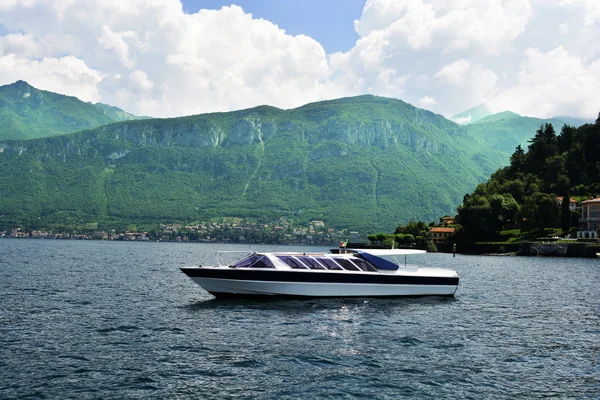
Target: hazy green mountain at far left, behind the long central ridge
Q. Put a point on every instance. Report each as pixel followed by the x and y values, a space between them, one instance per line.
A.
pixel 27 112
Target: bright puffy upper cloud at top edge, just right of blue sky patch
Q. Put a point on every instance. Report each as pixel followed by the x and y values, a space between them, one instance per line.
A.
pixel 455 24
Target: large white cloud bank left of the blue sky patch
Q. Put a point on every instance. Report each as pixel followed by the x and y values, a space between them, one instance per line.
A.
pixel 152 58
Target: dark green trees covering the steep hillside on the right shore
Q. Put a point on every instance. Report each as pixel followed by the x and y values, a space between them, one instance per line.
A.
pixel 564 165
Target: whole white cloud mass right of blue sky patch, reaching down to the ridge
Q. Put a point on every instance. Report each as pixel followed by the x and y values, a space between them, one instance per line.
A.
pixel 467 52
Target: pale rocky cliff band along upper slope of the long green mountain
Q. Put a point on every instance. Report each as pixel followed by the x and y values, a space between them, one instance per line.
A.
pixel 116 141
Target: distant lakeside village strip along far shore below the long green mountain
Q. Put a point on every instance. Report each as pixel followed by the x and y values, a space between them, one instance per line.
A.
pixel 226 230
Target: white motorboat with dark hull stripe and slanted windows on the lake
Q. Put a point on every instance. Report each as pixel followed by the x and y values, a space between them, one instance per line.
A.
pixel 349 273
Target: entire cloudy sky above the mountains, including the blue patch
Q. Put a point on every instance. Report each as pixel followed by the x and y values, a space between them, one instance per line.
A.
pixel 168 58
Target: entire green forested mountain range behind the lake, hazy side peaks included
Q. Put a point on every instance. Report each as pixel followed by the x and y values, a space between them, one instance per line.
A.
pixel 365 163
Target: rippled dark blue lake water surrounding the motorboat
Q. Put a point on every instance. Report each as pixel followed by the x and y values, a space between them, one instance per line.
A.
pixel 88 319
